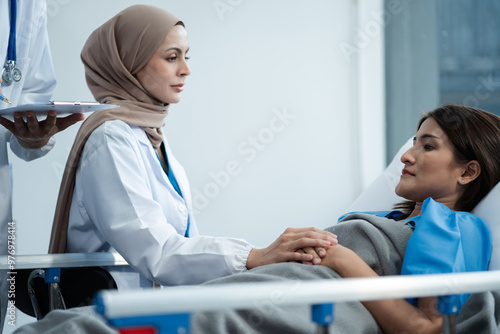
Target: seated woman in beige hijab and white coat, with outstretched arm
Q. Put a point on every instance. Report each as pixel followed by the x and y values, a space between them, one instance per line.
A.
pixel 122 188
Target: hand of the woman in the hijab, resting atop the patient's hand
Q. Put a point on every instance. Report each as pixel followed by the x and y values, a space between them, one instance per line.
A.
pixel 285 248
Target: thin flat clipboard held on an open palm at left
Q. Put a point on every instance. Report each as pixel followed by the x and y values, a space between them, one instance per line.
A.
pixel 61 108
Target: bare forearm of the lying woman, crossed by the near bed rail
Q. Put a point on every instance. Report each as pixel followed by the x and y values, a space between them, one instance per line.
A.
pixel 392 315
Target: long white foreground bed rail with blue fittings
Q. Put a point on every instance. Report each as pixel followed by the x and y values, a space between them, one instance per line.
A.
pixel 176 303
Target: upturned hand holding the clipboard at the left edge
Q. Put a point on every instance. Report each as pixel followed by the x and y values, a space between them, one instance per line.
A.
pixel 35 134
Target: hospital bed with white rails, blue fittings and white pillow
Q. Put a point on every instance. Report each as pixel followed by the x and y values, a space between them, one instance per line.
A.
pixel 168 310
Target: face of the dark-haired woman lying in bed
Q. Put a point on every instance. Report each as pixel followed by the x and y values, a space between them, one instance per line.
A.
pixel 430 169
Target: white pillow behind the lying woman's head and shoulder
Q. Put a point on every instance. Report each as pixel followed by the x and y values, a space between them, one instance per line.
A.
pixel 380 195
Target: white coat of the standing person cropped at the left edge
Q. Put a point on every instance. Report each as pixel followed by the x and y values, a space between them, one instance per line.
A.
pixel 37 85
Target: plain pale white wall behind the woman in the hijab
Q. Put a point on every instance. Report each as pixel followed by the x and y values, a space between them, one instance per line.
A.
pixel 251 61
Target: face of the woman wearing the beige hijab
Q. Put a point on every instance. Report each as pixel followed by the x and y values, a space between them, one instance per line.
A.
pixel 165 73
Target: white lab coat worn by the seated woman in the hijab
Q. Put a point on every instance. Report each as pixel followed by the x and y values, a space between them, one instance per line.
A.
pixel 123 201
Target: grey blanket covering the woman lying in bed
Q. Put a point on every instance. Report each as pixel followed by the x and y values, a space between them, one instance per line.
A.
pixel 380 242
